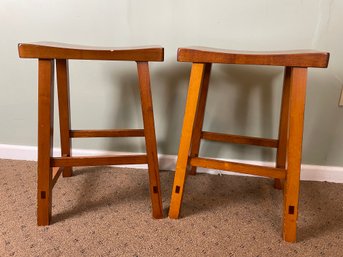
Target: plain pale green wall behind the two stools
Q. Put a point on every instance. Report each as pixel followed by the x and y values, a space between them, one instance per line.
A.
pixel 242 100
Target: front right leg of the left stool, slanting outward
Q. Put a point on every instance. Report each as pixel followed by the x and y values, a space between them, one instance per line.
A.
pixel 150 139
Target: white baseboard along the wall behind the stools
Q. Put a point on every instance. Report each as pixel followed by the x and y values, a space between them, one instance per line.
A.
pixel 168 162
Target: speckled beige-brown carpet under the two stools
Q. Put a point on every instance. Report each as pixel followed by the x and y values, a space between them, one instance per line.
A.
pixel 106 212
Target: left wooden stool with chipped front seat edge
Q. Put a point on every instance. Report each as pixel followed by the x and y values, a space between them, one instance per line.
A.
pixel 49 167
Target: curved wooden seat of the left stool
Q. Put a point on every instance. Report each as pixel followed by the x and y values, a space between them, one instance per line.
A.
pixel 53 50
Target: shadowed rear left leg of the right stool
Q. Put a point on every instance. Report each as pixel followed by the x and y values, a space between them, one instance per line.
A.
pixel 199 118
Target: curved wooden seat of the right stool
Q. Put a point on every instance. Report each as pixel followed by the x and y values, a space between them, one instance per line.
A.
pixel 298 58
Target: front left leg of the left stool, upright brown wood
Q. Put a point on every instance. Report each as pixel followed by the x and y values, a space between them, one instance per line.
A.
pixel 45 139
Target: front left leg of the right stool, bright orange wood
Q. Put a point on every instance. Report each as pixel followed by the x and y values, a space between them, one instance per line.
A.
pixel 186 136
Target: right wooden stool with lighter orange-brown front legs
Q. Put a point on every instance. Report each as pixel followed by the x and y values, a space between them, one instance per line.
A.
pixel 289 143
